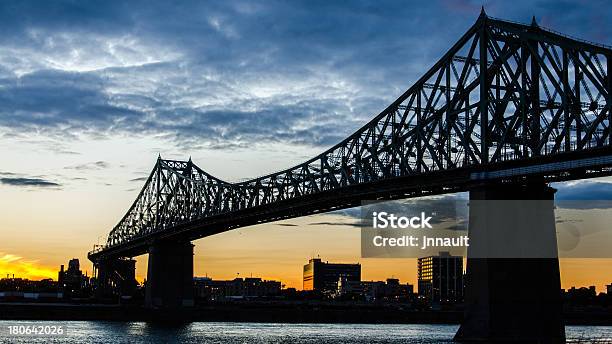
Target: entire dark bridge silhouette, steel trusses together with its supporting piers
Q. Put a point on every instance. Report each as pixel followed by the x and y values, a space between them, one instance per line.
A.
pixel 507 110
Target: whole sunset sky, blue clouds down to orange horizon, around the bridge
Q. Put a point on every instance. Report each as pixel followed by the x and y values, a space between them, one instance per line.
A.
pixel 92 92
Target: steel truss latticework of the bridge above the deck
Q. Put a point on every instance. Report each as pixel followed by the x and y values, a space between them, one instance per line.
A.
pixel 504 92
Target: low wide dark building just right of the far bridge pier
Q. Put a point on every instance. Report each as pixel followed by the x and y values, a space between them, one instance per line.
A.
pixel 238 288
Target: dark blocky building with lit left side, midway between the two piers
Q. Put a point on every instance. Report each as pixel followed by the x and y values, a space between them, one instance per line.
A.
pixel 320 276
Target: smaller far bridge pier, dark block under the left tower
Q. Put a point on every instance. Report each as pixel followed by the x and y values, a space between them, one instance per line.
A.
pixel 170 275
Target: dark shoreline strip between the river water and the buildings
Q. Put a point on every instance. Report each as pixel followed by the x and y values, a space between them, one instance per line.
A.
pixel 257 313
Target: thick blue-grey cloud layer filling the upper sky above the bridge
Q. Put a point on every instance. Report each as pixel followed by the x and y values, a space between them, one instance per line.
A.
pixel 233 73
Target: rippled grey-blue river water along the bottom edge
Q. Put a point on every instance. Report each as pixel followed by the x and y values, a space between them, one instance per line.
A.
pixel 205 332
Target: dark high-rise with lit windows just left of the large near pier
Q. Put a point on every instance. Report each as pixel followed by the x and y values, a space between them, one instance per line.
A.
pixel 440 278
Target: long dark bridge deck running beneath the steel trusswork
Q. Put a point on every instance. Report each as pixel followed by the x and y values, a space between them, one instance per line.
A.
pixel 452 181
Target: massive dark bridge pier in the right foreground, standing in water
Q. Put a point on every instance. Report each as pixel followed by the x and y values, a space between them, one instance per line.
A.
pixel 513 299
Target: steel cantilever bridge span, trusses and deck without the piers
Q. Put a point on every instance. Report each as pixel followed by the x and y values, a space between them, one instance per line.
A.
pixel 508 103
